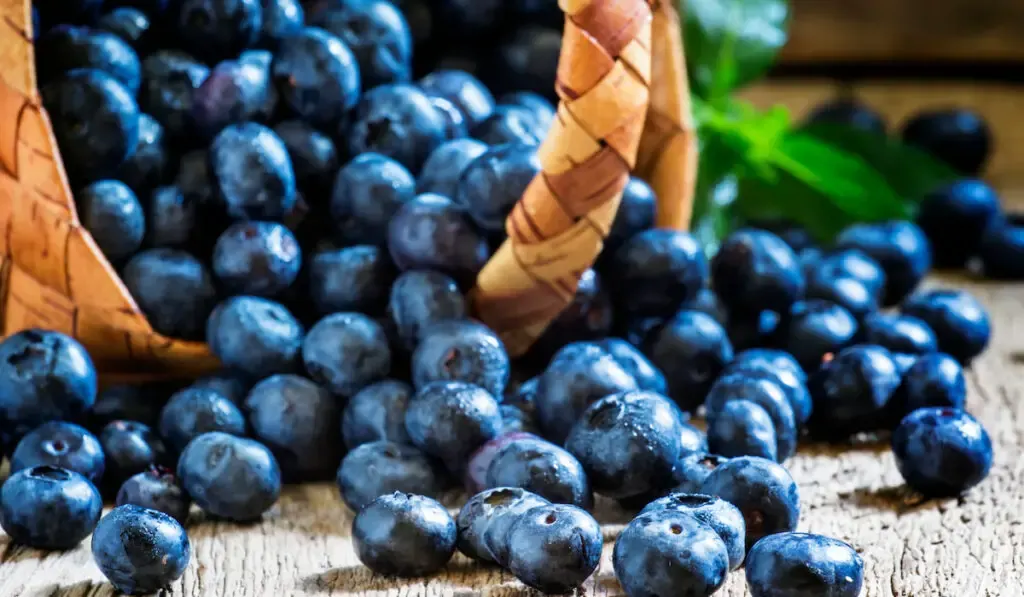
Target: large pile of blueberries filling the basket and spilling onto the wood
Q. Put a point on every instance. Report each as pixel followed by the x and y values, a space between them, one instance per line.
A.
pixel 268 178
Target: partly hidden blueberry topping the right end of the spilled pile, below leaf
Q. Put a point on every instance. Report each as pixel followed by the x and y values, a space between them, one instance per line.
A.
pixel 900 247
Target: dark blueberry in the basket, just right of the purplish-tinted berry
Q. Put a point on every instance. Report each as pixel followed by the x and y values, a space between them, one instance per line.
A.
pixel 318 77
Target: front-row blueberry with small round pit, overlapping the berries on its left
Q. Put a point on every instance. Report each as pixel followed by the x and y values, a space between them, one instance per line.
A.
pixel 554 548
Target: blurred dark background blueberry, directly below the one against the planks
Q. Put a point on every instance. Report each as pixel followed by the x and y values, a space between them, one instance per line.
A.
pixel 955 219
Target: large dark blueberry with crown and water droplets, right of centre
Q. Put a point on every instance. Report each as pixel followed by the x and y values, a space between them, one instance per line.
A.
pixel 628 443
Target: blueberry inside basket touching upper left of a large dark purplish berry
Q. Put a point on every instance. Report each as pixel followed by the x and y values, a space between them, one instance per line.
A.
pixel 368 192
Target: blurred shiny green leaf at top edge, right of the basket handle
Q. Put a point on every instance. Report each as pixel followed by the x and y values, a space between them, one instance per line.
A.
pixel 731 44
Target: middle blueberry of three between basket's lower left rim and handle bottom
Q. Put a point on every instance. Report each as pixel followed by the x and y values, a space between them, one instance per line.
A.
pixel 347 353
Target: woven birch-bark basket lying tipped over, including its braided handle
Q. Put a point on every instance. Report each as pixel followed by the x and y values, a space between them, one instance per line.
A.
pixel 624 107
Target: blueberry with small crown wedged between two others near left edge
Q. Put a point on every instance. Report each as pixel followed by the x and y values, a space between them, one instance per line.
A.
pixel 64 446
